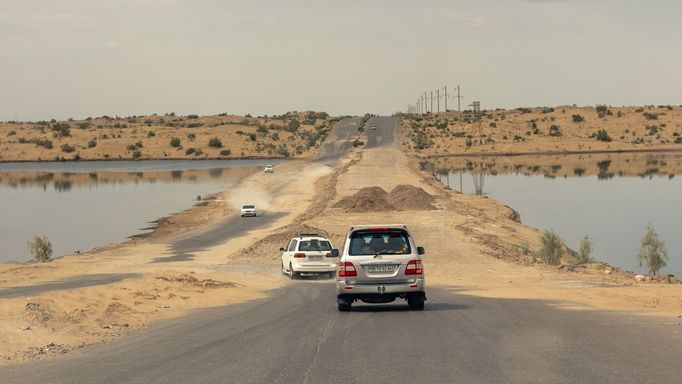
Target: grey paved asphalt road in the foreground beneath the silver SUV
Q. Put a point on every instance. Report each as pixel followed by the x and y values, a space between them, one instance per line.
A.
pixel 297 336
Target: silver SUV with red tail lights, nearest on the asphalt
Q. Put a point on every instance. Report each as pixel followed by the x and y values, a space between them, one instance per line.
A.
pixel 378 264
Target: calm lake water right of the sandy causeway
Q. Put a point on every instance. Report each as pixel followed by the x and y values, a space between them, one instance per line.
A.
pixel 610 198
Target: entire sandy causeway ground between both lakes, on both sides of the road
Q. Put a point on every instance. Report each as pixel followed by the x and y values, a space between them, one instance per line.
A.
pixel 473 245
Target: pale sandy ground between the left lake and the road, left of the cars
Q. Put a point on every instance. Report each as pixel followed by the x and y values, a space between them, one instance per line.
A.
pixel 51 322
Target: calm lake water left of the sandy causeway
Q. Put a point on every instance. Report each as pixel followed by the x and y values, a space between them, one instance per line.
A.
pixel 81 205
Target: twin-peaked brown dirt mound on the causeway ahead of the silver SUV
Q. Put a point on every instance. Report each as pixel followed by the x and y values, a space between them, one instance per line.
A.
pixel 402 197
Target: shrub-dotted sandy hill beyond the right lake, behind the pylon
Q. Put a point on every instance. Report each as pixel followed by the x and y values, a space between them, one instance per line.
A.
pixel 554 130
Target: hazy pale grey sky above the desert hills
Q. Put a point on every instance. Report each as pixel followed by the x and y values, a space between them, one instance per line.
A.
pixel 79 58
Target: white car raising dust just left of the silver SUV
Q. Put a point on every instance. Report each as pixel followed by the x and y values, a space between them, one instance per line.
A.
pixel 309 253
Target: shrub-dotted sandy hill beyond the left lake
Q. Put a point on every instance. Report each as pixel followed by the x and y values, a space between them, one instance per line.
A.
pixel 294 134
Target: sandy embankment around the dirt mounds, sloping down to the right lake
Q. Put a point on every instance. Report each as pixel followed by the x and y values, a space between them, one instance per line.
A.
pixel 474 246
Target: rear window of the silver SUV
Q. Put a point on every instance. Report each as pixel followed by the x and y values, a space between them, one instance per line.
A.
pixel 390 242
